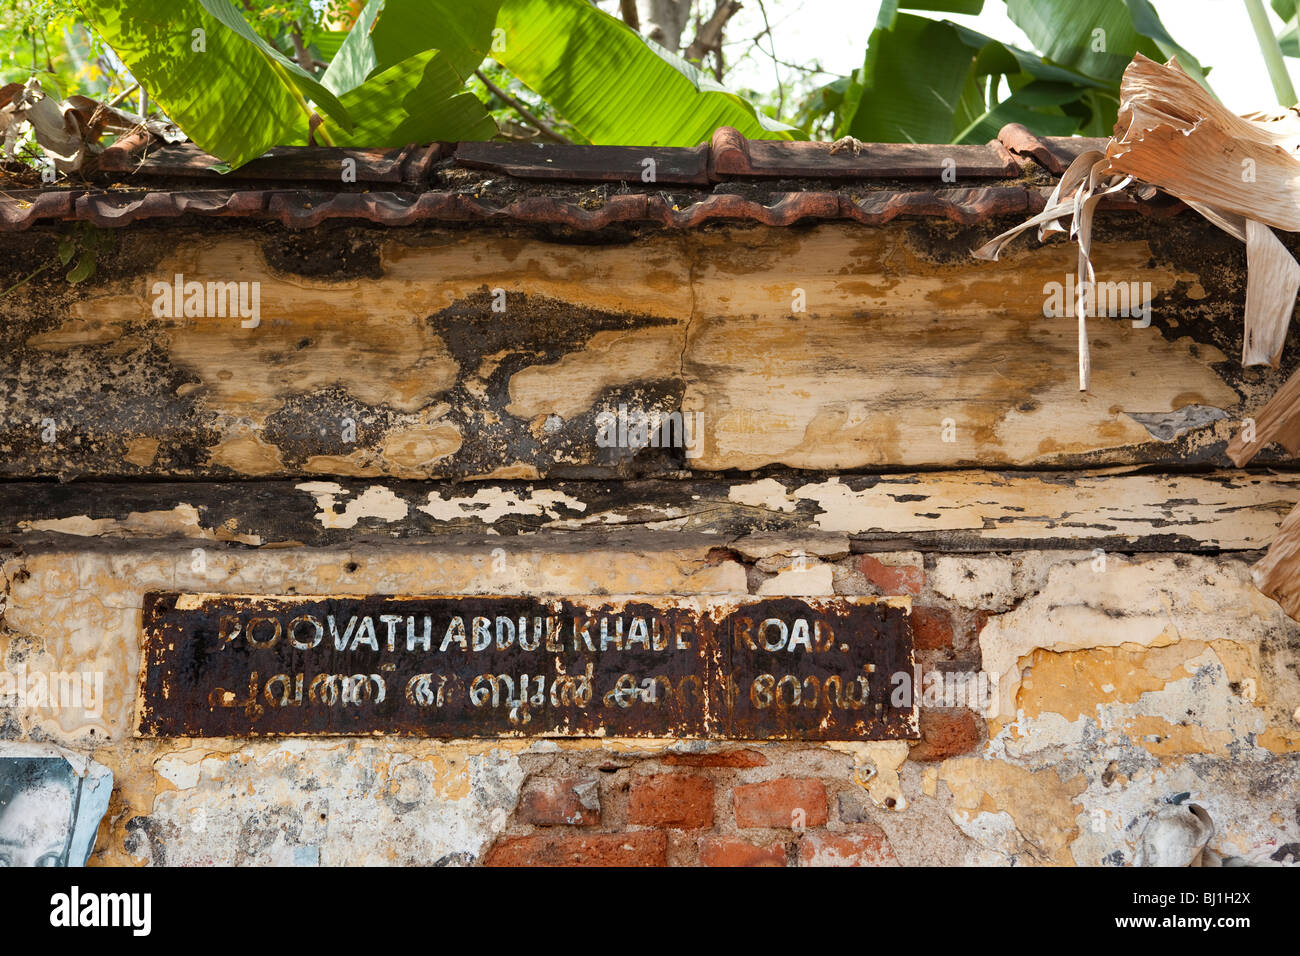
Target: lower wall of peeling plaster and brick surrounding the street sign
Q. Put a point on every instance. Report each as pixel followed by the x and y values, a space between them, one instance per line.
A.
pixel 1121 690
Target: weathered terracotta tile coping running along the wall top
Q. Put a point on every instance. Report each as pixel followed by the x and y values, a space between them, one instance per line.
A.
pixel 727 180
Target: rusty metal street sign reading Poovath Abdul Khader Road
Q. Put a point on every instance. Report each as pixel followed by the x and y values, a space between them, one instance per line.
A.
pixel 483 667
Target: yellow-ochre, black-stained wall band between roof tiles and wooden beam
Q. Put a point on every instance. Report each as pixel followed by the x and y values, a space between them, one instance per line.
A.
pixel 900 332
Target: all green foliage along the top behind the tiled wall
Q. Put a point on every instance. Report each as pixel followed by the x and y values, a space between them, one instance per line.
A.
pixel 284 72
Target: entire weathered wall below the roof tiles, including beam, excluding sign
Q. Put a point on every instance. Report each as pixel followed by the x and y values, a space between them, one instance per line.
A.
pixel 1110 600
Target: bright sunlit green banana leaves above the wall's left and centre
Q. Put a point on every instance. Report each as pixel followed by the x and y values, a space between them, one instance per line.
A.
pixel 400 75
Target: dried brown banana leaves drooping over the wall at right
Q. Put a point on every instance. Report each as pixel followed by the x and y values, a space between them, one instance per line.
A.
pixel 1243 175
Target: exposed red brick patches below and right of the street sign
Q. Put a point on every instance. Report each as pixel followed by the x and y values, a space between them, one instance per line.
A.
pixel 742 803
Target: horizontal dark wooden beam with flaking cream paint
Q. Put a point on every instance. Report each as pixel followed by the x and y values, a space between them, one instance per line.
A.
pixel 951 512
